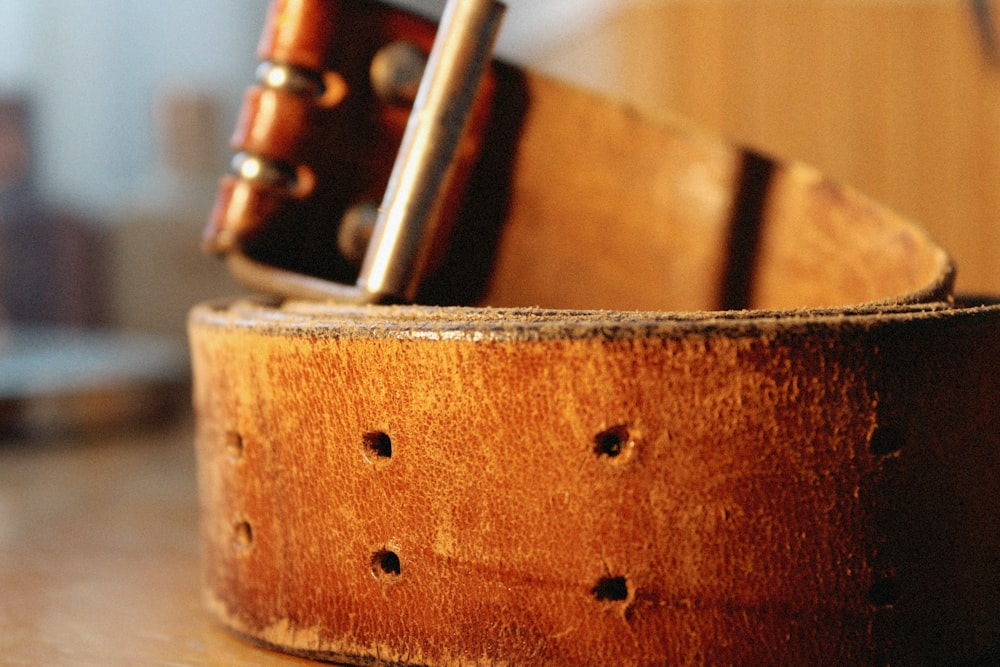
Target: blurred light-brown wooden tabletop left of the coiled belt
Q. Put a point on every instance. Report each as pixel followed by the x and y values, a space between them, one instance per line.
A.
pixel 99 555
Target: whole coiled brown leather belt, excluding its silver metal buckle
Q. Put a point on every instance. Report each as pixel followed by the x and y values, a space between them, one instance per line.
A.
pixel 711 408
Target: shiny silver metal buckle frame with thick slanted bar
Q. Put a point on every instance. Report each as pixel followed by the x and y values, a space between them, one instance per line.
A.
pixel 408 215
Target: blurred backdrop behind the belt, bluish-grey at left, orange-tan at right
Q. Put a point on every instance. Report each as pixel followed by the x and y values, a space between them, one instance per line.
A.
pixel 115 114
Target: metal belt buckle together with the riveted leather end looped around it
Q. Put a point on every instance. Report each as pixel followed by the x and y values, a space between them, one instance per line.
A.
pixel 439 141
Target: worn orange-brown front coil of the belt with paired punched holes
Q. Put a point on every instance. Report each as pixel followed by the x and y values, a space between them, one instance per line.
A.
pixel 788 489
